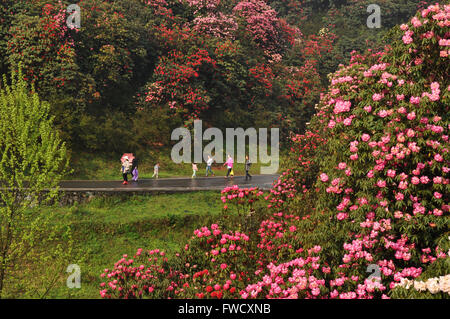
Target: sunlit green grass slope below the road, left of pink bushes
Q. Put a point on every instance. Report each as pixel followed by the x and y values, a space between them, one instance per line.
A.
pixel 105 229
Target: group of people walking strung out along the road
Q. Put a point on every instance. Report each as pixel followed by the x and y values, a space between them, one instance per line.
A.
pixel 131 167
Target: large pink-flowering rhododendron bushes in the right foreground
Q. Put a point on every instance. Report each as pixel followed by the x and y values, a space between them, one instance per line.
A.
pixel 362 211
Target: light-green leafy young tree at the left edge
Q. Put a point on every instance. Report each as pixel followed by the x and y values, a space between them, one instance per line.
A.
pixel 33 158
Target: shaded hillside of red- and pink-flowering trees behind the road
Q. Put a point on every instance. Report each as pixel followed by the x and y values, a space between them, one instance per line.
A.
pixel 136 70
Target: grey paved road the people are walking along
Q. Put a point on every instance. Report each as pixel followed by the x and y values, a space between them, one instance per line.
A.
pixel 170 184
